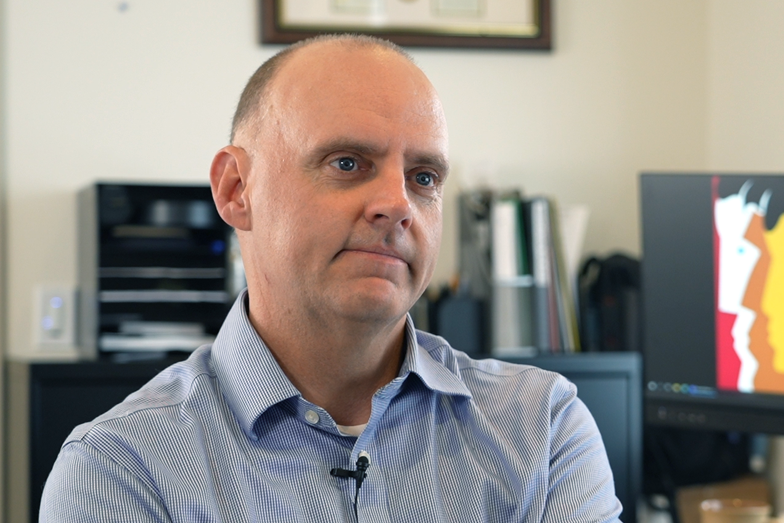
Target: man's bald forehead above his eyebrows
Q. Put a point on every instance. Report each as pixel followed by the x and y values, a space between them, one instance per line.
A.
pixel 335 88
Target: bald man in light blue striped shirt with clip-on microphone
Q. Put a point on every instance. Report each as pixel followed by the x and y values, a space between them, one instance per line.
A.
pixel 334 184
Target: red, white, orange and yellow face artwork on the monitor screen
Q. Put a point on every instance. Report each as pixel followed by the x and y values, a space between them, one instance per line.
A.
pixel 749 272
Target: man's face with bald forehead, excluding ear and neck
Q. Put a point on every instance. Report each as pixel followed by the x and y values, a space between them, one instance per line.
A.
pixel 346 186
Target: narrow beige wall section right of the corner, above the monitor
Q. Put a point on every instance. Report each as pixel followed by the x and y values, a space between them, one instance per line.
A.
pixel 746 86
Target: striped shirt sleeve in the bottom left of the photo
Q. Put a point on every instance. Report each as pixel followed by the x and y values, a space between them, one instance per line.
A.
pixel 87 486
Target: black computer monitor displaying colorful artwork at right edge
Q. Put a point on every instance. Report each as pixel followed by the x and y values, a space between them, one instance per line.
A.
pixel 713 301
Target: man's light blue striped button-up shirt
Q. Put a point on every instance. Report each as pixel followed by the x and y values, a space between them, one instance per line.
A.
pixel 225 436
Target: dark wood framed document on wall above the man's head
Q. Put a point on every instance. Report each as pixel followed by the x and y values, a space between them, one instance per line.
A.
pixel 520 24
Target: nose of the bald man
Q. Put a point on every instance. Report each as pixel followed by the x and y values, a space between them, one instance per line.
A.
pixel 388 201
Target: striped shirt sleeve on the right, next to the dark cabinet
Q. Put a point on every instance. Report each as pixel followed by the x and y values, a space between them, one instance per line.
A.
pixel 581 487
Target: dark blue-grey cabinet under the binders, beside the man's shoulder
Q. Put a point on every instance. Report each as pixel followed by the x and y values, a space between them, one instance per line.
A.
pixel 610 385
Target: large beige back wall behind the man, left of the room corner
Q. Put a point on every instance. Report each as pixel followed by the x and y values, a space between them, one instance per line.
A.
pixel 146 93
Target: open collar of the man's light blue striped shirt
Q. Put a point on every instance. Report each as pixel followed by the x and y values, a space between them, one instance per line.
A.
pixel 252 381
